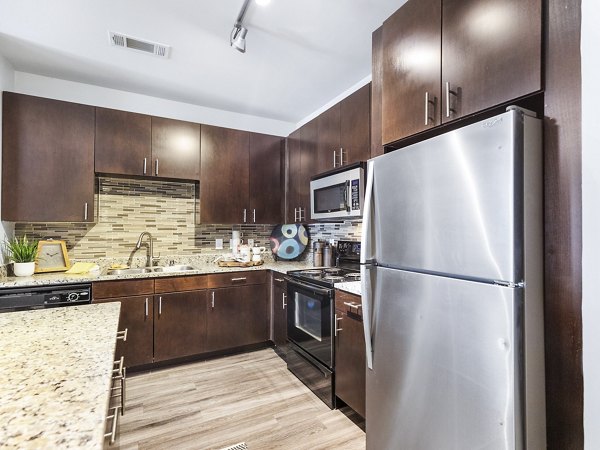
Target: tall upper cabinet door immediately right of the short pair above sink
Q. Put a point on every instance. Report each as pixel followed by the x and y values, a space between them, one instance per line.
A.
pixel 223 175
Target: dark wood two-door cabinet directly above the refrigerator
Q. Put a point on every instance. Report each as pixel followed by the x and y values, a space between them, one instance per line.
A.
pixel 447 59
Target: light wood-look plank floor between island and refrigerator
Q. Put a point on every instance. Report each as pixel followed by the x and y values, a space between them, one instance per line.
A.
pixel 249 398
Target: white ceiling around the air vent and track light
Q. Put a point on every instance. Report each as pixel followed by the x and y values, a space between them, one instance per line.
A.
pixel 300 54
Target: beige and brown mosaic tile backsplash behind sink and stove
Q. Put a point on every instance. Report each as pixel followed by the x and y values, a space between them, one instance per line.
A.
pixel 125 208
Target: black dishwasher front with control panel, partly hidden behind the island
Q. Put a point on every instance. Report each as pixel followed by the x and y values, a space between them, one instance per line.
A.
pixel 38 297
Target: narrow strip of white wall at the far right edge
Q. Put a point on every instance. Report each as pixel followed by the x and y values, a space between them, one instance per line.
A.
pixel 590 65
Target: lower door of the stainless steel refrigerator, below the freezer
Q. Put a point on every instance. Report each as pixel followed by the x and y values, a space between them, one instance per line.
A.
pixel 445 364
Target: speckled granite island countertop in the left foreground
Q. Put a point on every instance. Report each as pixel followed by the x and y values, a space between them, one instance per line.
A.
pixel 56 367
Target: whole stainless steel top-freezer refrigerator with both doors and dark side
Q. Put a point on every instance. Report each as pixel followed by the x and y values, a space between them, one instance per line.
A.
pixel 452 289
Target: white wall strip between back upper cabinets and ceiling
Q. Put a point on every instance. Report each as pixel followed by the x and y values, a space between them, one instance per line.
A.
pixel 27 83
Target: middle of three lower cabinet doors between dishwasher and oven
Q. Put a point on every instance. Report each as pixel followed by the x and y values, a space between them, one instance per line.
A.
pixel 179 324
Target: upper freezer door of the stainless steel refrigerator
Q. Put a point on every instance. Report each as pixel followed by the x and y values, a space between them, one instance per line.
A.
pixel 452 204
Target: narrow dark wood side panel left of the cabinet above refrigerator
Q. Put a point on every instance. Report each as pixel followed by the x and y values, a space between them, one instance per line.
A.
pixel 376 91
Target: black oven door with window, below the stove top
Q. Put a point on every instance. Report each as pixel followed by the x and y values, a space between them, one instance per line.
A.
pixel 309 319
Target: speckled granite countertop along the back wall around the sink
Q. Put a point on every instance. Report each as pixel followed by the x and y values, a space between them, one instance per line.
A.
pixel 204 265
